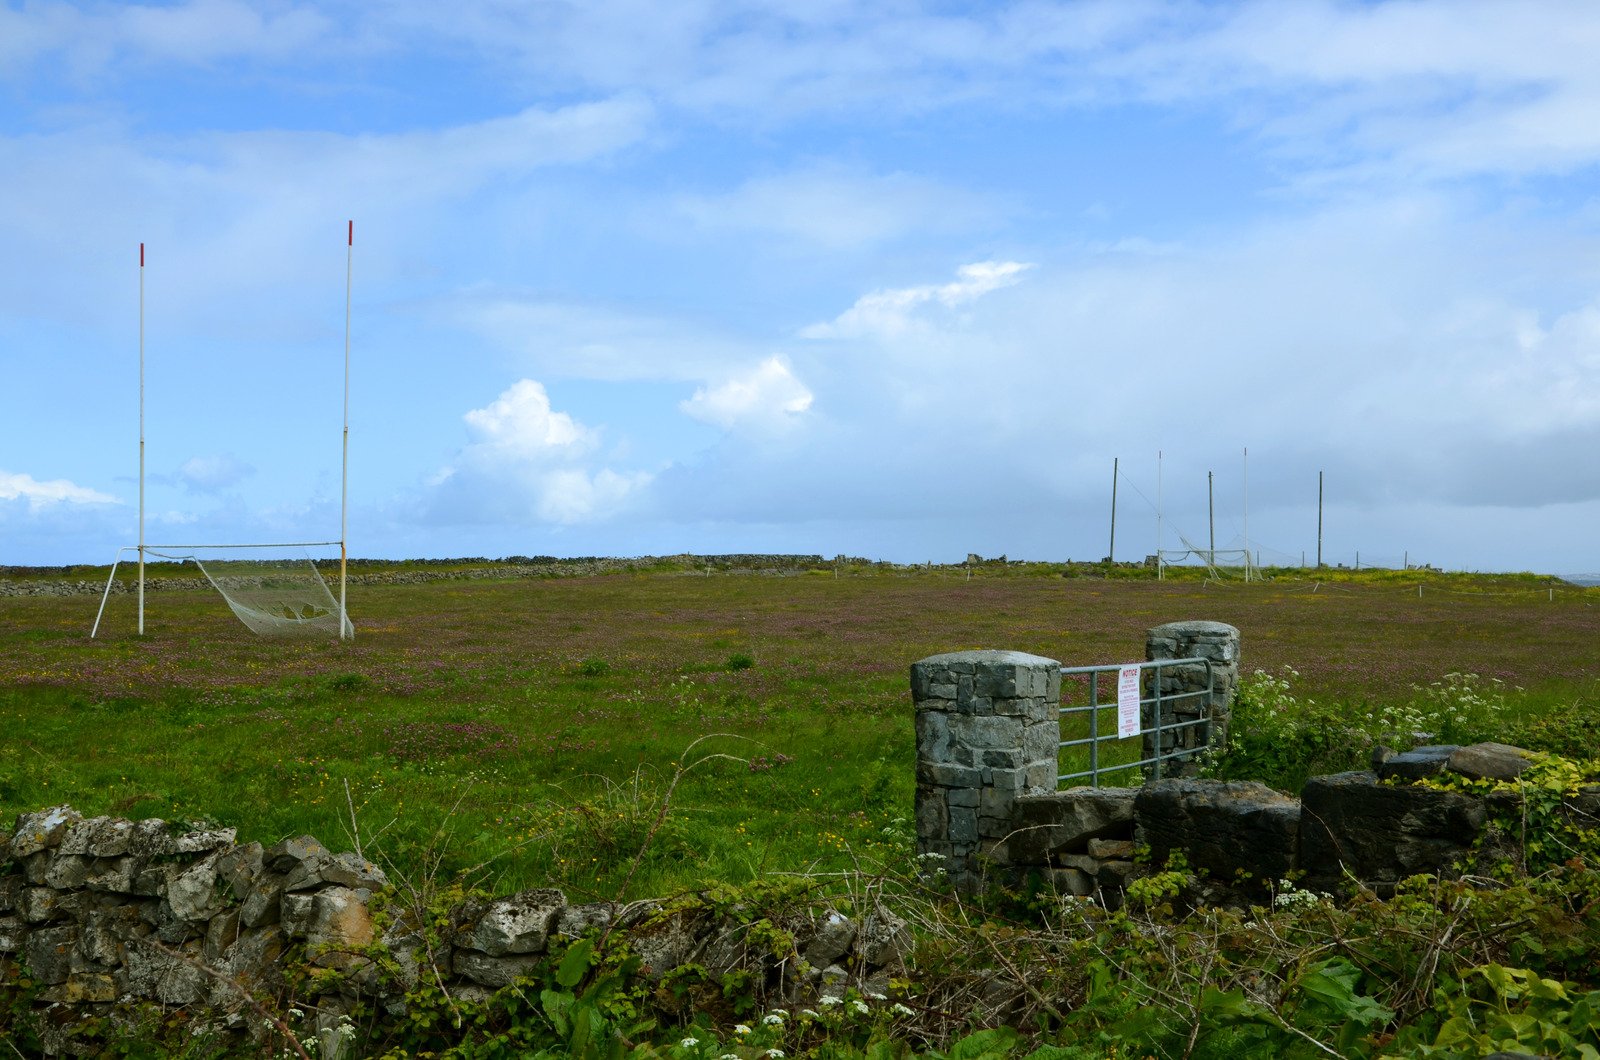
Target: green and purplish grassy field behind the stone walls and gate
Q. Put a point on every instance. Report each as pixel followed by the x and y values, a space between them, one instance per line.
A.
pixel 535 726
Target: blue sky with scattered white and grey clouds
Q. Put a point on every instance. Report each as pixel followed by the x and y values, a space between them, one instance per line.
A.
pixel 890 279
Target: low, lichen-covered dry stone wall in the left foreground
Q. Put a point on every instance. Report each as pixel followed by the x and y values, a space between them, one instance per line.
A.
pixel 111 917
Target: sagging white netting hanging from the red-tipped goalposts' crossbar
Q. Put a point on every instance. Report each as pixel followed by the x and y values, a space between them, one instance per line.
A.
pixel 278 593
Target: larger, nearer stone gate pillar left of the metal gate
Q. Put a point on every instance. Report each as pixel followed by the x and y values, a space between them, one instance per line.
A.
pixel 988 731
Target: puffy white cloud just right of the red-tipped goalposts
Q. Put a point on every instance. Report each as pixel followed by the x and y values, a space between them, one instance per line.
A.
pixel 529 464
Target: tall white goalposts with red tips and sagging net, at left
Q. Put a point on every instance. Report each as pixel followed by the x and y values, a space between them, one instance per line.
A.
pixel 279 596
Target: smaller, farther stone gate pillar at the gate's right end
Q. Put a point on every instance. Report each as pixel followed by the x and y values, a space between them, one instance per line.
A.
pixel 1214 641
